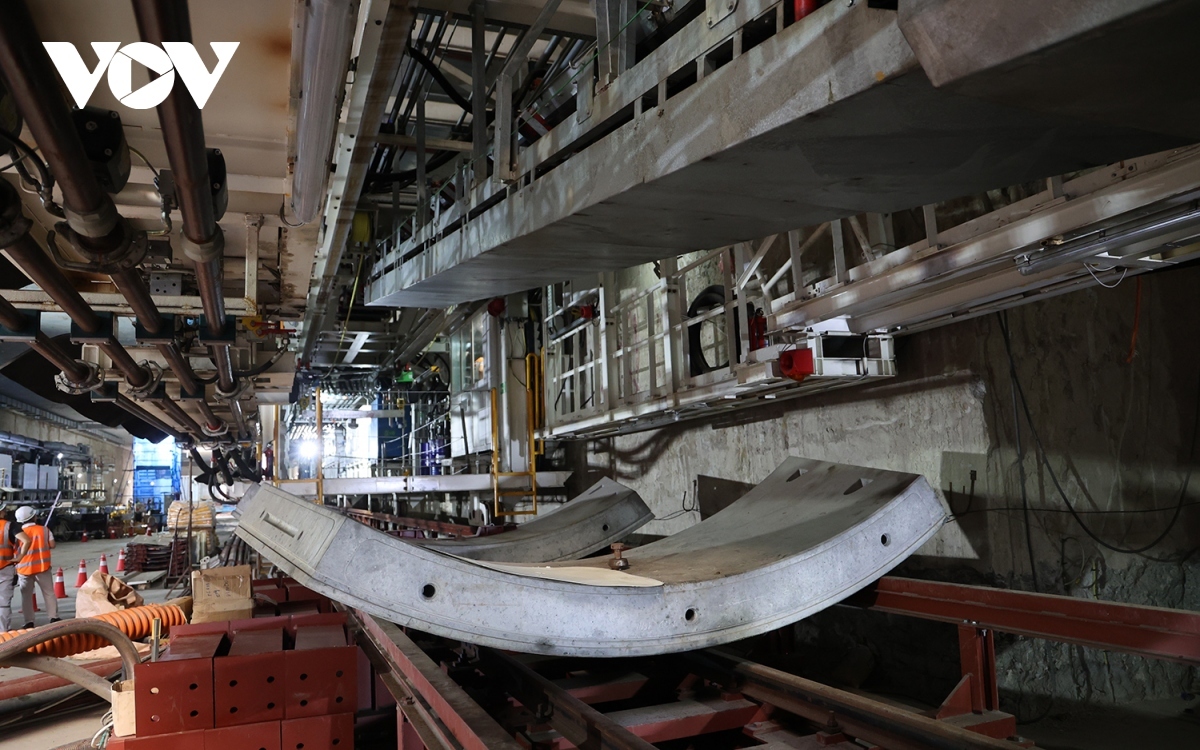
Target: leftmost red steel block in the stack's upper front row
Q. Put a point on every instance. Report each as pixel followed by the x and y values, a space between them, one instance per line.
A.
pixel 176 693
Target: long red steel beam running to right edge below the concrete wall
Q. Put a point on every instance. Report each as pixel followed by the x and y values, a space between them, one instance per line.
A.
pixel 1155 633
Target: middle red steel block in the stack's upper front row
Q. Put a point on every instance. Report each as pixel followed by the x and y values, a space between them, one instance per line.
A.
pixel 248 683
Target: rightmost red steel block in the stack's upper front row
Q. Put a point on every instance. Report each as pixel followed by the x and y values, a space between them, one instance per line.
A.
pixel 321 675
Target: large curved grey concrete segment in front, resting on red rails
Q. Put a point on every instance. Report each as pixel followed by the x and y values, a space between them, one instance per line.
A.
pixel 805 539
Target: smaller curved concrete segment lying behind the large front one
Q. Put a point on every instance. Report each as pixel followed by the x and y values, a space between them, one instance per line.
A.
pixel 607 513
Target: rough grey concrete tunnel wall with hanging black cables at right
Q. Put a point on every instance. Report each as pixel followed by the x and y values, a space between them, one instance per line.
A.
pixel 1118 430
